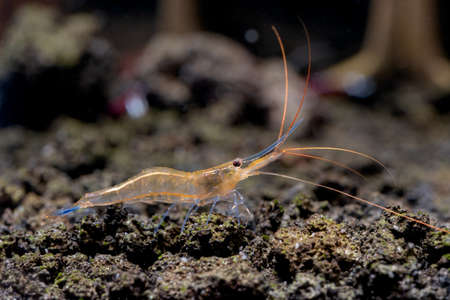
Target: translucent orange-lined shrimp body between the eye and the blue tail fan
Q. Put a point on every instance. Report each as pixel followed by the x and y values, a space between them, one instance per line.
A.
pixel 166 185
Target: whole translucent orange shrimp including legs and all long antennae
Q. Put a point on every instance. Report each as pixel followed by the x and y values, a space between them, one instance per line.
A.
pixel 209 186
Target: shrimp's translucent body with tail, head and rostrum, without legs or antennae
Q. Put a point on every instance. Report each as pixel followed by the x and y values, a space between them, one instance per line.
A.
pixel 166 185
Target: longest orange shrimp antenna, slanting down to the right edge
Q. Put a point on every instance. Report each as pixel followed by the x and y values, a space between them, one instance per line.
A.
pixel 356 198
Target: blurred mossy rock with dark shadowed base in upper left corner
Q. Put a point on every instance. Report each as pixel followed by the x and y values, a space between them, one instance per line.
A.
pixel 52 64
